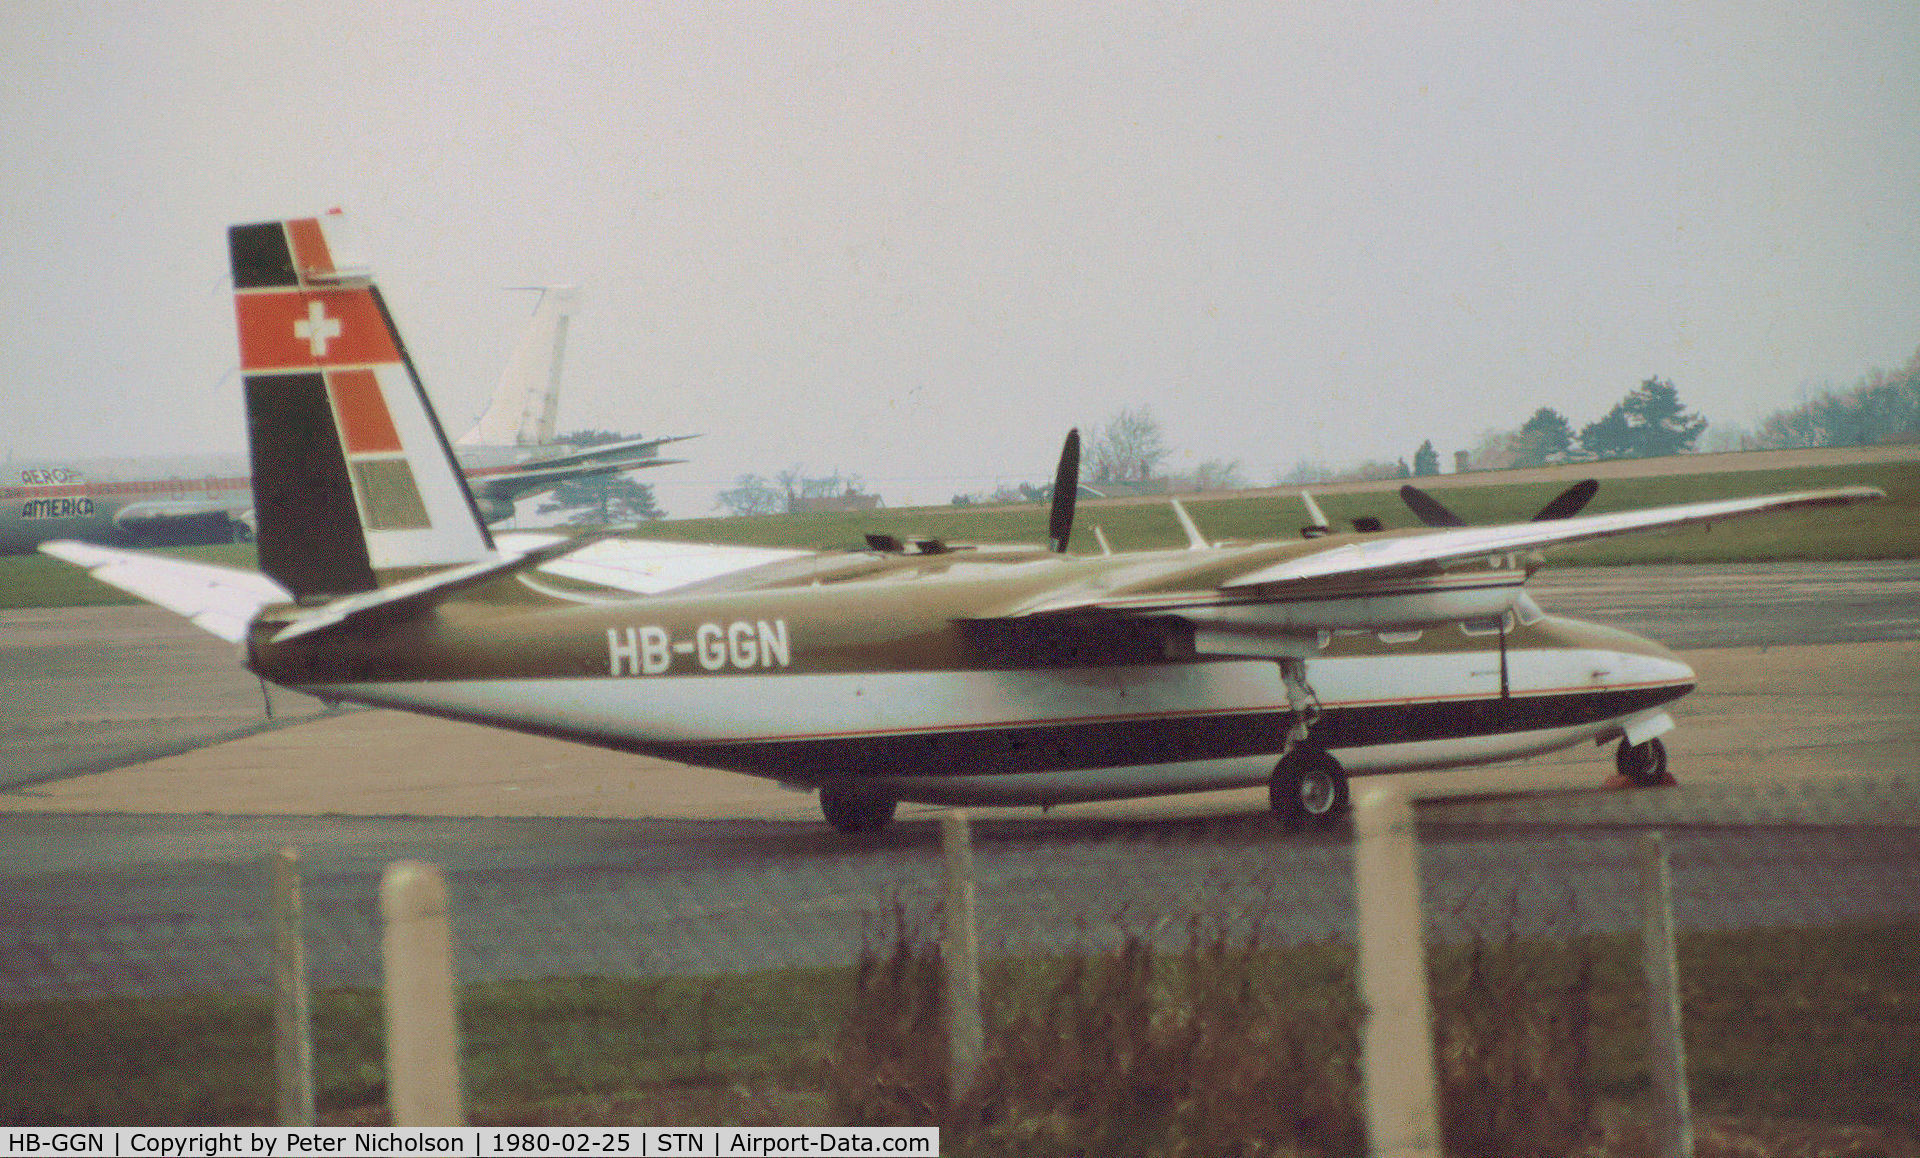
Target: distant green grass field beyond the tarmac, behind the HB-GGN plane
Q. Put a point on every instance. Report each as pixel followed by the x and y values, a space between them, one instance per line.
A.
pixel 1888 529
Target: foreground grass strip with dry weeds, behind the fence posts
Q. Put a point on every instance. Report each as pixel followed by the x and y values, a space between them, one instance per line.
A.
pixel 1781 1025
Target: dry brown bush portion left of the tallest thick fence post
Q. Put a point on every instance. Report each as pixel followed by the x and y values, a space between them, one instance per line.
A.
pixel 1128 1051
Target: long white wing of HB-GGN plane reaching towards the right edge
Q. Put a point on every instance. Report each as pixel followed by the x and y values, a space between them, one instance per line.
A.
pixel 1389 566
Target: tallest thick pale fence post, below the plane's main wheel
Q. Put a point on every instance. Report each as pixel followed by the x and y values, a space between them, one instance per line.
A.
pixel 1397 1030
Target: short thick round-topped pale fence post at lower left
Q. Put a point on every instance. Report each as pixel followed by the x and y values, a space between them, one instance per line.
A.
pixel 423 1071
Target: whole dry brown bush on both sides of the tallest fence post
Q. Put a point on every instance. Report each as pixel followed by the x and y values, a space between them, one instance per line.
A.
pixel 1220 1048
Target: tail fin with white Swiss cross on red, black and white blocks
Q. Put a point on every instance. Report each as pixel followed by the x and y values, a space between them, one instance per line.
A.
pixel 354 481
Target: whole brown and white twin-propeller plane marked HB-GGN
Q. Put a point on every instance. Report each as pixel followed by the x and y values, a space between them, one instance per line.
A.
pixel 907 671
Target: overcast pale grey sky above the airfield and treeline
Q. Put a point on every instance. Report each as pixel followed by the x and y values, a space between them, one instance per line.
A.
pixel 921 243
